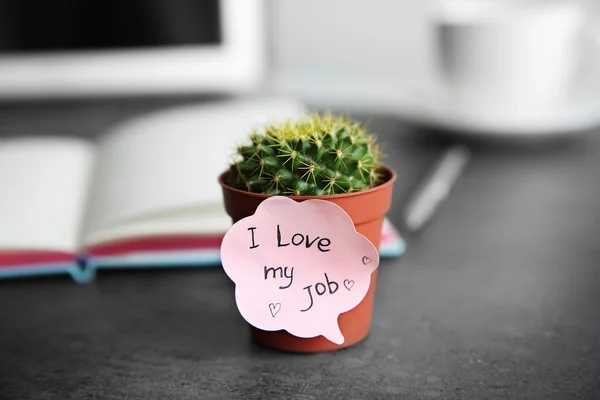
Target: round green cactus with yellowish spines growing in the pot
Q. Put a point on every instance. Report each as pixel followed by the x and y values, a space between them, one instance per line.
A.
pixel 314 156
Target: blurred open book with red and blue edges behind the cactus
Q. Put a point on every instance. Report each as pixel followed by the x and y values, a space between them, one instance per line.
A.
pixel 143 194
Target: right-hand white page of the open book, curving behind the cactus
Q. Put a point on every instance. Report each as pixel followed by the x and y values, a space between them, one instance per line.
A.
pixel 169 161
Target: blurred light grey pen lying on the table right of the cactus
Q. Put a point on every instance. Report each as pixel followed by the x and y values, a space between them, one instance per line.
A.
pixel 436 187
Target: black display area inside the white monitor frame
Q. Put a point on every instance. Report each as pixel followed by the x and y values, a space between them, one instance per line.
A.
pixel 74 25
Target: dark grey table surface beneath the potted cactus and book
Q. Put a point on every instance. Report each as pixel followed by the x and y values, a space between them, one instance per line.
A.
pixel 498 297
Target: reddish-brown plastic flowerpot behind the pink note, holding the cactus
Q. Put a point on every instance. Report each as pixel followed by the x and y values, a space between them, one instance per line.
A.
pixel 367 209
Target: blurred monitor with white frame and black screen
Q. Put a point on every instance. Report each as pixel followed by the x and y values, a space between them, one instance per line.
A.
pixel 57 48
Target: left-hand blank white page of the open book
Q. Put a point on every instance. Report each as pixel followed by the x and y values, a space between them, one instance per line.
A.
pixel 43 184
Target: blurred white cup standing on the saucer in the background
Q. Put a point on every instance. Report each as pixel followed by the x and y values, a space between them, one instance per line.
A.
pixel 515 58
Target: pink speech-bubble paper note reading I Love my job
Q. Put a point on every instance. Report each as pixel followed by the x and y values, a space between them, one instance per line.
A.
pixel 297 266
